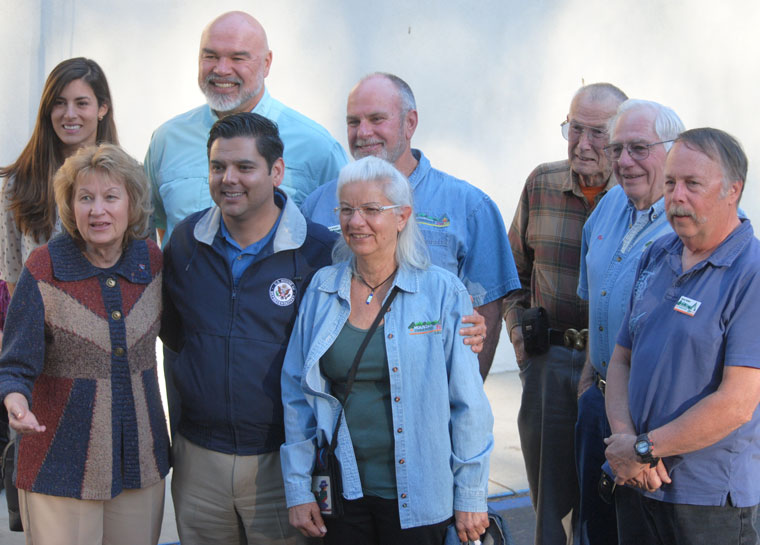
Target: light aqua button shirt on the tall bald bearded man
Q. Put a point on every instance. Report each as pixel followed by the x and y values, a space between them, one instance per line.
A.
pixel 177 161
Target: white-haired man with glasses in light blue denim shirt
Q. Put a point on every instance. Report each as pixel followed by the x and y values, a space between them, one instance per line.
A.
pixel 626 221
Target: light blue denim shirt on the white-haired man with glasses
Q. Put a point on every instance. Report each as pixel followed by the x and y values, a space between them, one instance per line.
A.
pixel 614 237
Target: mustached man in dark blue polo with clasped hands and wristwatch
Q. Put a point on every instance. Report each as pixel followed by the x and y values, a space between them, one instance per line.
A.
pixel 683 384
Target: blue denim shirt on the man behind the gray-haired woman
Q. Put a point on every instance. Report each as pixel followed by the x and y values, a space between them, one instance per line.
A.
pixel 462 226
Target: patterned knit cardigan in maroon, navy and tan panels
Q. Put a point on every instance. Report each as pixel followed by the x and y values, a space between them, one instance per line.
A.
pixel 80 344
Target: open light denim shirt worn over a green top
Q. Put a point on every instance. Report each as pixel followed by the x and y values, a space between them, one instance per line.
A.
pixel 442 420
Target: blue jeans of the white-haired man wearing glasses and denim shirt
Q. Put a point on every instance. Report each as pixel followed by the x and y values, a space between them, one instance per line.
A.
pixel 596 519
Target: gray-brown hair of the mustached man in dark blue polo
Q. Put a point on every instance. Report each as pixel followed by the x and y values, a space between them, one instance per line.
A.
pixel 722 148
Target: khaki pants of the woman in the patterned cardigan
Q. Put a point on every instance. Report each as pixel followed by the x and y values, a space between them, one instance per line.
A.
pixel 131 518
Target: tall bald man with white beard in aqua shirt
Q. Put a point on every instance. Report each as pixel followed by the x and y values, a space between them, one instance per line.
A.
pixel 234 60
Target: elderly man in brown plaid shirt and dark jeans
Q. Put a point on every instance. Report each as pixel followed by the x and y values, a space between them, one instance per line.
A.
pixel 545 237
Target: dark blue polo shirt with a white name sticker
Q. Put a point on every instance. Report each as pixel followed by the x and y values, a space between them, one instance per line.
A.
pixel 683 328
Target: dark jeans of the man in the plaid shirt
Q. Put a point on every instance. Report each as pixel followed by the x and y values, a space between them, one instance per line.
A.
pixel 546 422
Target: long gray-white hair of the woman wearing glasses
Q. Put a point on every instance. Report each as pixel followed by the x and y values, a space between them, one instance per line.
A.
pixel 411 251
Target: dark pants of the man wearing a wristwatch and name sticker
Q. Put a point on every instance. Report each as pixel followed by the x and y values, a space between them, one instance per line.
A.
pixel 681 524
